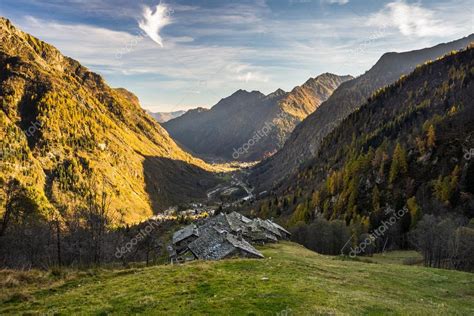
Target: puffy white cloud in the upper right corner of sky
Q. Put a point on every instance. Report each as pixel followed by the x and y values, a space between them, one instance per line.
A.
pixel 411 20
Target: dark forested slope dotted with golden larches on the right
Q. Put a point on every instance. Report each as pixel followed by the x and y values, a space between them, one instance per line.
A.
pixel 410 145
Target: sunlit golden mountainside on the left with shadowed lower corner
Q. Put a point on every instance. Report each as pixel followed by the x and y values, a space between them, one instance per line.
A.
pixel 66 136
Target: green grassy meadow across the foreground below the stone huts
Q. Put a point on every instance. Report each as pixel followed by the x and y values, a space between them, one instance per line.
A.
pixel 291 279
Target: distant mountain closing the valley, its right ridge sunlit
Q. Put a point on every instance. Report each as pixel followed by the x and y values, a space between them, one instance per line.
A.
pixel 249 126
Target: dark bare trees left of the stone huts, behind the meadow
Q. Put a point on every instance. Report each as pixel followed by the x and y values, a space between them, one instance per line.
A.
pixel 85 238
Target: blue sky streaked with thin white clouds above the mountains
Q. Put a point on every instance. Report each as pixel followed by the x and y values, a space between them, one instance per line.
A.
pixel 181 54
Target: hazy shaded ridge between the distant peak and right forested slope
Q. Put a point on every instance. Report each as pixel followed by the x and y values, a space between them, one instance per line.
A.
pixel 304 142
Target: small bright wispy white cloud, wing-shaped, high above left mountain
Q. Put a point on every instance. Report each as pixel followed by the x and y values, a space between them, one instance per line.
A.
pixel 154 21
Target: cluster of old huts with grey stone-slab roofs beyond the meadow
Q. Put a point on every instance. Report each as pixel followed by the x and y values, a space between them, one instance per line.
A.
pixel 224 236
